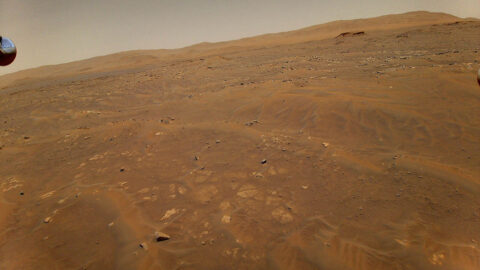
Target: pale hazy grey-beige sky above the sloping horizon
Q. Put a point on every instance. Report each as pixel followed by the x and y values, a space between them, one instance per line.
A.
pixel 56 31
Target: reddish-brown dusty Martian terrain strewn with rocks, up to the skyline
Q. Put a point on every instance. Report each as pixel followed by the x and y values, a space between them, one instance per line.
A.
pixel 299 150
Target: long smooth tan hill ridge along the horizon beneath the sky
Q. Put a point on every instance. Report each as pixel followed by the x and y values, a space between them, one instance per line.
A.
pixel 141 58
